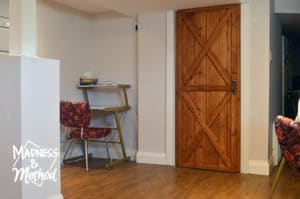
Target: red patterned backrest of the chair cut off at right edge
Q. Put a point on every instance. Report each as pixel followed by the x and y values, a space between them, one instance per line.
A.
pixel 288 134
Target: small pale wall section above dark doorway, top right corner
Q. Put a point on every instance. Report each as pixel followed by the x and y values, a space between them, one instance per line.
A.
pixel 287 6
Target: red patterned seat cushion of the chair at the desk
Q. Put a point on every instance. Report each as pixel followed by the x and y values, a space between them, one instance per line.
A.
pixel 91 133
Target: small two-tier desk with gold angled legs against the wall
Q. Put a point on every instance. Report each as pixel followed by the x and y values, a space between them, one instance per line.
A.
pixel 115 111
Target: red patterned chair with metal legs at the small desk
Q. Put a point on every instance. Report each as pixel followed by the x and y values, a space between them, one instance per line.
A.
pixel 78 116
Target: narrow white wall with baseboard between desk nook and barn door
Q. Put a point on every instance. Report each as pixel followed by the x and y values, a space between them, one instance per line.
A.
pixel 152 88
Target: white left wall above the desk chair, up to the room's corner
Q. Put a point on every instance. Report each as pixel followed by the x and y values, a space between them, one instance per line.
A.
pixel 64 35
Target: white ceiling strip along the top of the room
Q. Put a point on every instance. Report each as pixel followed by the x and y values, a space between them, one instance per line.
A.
pixel 137 7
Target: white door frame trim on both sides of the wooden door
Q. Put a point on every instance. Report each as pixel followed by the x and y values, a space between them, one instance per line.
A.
pixel 170 88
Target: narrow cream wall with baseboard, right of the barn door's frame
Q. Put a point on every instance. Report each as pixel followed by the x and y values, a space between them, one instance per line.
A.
pixel 257 87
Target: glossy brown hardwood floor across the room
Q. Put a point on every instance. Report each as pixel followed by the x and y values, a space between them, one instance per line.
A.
pixel 131 180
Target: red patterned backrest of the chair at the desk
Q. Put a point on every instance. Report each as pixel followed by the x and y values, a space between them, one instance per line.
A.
pixel 75 114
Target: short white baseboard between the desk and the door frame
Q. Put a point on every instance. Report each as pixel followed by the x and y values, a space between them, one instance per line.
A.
pixel 151 158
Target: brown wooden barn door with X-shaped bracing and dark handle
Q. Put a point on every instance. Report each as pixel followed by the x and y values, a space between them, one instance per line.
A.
pixel 208 88
